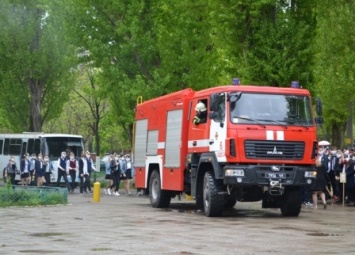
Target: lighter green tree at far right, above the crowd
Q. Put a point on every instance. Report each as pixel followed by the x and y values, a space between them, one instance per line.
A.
pixel 335 58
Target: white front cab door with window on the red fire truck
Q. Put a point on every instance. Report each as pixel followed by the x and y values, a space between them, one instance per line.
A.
pixel 218 128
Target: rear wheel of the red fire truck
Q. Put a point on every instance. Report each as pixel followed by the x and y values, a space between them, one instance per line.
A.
pixel 158 198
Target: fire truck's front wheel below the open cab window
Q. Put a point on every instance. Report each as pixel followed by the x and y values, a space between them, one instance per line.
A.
pixel 212 202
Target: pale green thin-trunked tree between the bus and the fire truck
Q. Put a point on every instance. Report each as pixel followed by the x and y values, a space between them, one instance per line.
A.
pixel 86 108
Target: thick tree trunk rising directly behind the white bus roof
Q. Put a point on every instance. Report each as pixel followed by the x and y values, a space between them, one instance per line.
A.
pixel 36 93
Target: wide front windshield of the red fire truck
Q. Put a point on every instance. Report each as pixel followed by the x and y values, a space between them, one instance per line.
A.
pixel 272 109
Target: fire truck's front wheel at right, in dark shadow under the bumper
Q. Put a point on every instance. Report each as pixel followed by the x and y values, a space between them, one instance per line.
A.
pixel 291 203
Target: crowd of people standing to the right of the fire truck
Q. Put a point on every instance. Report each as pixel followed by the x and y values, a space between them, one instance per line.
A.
pixel 335 178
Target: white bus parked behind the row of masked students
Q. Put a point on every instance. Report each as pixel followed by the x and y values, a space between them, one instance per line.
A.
pixel 17 145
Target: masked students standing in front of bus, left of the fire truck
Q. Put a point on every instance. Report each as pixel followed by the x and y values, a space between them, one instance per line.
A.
pixel 35 170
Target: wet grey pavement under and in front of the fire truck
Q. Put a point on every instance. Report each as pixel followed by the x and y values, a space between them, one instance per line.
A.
pixel 129 225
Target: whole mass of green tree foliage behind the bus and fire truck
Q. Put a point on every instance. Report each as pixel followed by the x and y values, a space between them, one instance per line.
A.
pixel 137 48
